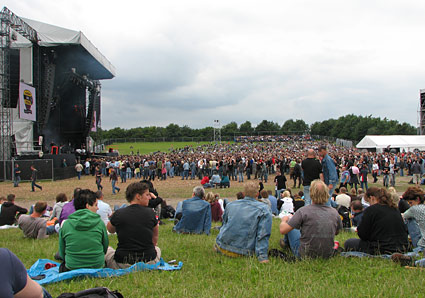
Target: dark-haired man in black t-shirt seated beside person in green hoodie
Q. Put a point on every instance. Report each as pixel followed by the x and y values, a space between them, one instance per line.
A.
pixel 137 228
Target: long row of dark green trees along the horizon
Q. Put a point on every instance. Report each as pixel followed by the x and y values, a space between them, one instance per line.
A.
pixel 350 127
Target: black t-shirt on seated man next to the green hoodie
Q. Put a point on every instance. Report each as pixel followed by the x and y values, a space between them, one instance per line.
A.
pixel 134 225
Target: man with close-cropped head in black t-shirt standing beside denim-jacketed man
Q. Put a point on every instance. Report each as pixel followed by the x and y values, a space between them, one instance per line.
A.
pixel 312 170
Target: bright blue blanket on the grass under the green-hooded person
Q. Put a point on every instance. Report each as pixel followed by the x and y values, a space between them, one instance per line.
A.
pixel 52 275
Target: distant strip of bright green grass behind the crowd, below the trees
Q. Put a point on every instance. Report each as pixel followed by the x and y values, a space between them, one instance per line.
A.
pixel 149 147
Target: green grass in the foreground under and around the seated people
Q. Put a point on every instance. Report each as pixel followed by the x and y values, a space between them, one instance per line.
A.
pixel 207 274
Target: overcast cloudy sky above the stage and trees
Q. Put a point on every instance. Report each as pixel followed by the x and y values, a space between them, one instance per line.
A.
pixel 191 62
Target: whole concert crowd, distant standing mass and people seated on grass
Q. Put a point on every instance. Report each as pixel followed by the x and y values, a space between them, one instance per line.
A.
pixel 335 195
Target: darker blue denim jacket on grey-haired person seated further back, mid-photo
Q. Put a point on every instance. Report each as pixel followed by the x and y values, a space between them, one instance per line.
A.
pixel 196 217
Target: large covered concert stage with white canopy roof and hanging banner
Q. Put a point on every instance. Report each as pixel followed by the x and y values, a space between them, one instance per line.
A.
pixel 64 69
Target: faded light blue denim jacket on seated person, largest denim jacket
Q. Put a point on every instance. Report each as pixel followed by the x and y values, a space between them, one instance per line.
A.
pixel 246 228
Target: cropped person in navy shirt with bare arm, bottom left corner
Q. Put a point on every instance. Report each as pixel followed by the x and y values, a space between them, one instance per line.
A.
pixel 14 279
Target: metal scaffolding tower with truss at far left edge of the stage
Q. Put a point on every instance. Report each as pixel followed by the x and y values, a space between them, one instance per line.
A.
pixel 9 21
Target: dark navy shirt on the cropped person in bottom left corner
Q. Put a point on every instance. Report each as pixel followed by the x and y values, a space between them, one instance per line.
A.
pixel 13 275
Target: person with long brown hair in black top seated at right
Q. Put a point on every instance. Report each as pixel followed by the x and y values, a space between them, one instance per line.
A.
pixel 382 230
